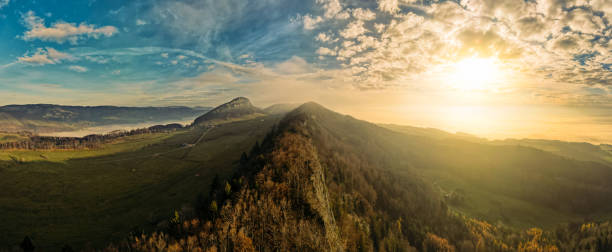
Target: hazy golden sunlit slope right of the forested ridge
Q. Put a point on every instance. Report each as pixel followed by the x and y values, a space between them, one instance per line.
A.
pixel 514 185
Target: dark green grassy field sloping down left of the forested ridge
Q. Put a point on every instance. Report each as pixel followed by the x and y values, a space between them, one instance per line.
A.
pixel 87 198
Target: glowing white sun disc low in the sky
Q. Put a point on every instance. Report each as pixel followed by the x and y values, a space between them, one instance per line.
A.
pixel 475 74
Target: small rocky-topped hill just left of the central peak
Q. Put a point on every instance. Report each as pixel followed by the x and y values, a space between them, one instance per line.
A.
pixel 237 109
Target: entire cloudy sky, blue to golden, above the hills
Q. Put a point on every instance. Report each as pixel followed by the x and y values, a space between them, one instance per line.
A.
pixel 494 68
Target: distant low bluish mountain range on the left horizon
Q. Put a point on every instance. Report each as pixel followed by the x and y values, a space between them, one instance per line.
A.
pixel 52 118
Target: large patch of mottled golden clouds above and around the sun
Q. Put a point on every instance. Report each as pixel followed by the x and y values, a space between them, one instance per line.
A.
pixel 566 41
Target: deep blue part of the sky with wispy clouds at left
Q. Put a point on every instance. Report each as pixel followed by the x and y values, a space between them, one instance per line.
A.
pixel 126 44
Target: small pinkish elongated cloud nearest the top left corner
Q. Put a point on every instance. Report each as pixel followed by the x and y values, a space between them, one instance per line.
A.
pixel 60 31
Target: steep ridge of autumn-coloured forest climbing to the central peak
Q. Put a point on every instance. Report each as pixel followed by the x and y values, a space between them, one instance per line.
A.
pixel 322 181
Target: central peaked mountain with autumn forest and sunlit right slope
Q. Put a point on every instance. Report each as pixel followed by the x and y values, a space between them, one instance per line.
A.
pixel 322 181
